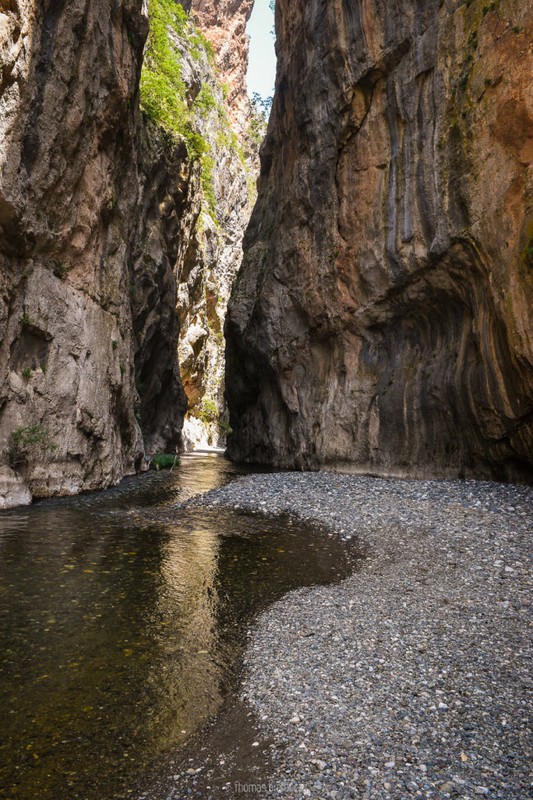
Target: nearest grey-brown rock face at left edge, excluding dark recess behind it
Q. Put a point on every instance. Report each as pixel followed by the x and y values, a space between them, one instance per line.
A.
pixel 68 88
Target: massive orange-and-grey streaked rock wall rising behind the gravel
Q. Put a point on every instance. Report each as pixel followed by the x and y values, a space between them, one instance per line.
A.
pixel 383 315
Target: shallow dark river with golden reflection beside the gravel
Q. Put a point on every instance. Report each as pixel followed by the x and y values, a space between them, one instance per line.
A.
pixel 122 619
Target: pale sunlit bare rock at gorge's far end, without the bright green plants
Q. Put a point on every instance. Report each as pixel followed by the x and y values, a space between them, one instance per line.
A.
pixel 211 251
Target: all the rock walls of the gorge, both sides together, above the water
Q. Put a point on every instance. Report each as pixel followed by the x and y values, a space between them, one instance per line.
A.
pixel 381 318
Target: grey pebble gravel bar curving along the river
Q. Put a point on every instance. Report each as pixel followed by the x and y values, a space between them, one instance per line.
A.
pixel 412 677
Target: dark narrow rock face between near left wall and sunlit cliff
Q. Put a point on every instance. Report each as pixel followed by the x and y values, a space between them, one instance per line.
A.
pixel 170 198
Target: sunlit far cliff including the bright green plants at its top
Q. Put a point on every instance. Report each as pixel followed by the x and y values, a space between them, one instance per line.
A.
pixel 193 86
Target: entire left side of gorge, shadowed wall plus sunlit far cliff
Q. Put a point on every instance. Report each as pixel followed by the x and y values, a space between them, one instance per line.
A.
pixel 119 238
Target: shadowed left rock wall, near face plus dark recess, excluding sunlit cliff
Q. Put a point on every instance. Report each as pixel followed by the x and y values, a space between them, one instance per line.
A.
pixel 93 206
